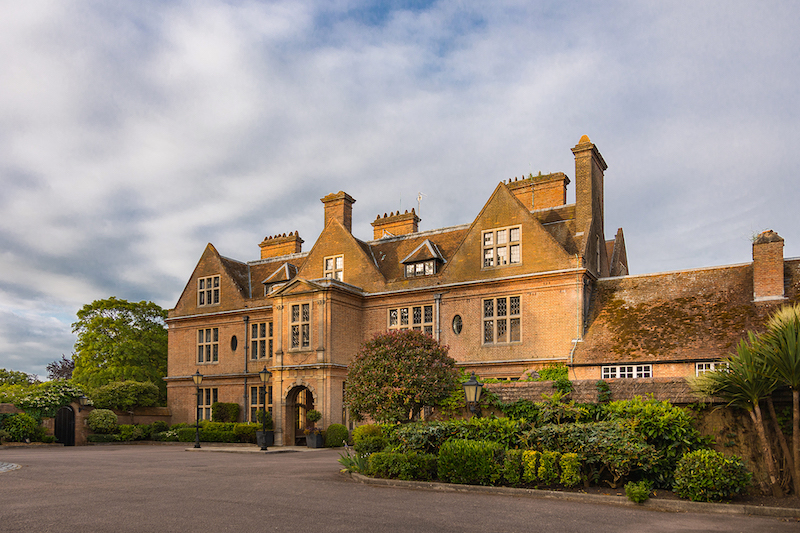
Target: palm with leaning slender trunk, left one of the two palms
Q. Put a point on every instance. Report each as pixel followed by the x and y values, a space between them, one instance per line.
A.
pixel 746 381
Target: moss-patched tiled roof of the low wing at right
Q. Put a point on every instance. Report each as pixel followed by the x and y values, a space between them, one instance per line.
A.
pixel 676 316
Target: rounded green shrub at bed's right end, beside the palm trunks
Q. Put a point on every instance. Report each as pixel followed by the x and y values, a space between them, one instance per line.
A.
pixel 707 475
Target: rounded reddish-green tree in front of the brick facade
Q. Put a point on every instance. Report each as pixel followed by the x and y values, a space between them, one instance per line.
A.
pixel 396 374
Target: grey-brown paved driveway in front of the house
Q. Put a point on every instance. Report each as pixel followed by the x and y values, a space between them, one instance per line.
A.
pixel 166 489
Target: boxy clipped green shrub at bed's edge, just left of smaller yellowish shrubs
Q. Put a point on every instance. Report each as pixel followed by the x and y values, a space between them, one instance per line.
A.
pixel 471 462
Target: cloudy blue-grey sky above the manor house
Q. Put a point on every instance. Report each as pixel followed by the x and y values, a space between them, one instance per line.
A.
pixel 133 133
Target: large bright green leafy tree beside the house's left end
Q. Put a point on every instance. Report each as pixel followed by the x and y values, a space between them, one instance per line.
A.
pixel 120 341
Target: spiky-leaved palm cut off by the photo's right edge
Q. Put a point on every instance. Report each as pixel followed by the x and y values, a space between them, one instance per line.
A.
pixel 781 349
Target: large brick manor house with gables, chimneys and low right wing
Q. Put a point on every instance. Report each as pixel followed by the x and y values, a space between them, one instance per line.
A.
pixel 530 281
